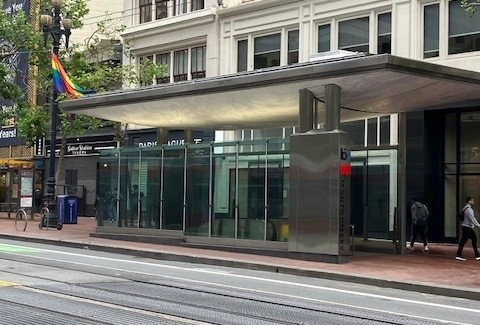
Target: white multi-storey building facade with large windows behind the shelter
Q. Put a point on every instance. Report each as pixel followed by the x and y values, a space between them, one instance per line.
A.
pixel 208 38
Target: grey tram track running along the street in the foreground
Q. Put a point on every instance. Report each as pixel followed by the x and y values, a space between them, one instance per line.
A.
pixel 217 305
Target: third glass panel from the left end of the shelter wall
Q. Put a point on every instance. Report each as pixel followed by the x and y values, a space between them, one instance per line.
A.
pixel 151 182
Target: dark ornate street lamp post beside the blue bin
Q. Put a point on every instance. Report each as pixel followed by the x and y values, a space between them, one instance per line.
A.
pixel 56 28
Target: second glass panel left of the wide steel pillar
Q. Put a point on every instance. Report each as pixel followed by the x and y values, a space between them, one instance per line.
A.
pixel 251 191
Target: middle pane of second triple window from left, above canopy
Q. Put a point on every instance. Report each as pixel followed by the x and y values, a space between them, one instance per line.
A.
pixel 267 51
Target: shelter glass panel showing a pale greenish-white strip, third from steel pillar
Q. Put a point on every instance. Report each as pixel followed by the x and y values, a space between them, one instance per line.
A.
pixel 224 190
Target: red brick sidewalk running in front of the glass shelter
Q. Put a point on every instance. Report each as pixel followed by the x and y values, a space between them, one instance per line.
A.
pixel 434 272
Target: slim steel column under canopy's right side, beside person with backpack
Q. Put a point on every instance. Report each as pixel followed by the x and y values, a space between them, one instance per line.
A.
pixel 402 182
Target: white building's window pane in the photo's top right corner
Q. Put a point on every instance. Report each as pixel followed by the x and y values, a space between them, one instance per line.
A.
pixel 463 31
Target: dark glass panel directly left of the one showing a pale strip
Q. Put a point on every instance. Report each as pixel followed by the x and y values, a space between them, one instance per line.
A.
pixel 198 190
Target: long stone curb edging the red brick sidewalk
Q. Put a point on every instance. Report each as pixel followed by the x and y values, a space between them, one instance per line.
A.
pixel 456 292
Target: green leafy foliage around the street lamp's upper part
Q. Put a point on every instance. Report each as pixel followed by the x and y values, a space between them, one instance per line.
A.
pixel 90 64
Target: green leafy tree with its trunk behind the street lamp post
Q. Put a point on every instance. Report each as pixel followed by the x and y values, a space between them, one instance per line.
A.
pixel 90 65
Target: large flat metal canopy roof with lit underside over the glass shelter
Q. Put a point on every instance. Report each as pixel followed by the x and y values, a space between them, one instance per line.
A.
pixel 370 86
